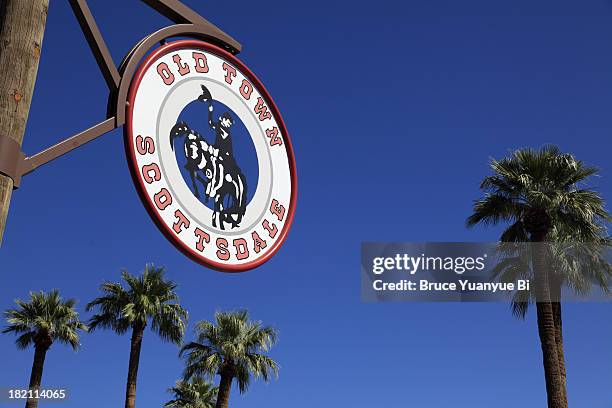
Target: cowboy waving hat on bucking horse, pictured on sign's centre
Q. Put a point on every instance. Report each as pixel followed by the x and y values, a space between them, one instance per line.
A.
pixel 214 166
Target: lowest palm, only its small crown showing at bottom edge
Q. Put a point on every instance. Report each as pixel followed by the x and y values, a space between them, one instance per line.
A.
pixel 197 393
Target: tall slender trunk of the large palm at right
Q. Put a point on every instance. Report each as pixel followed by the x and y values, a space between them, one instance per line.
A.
pixel 547 331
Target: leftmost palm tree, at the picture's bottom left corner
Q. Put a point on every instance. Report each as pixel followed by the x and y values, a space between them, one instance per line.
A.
pixel 41 321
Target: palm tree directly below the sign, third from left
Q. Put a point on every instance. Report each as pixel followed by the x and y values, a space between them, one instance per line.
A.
pixel 232 347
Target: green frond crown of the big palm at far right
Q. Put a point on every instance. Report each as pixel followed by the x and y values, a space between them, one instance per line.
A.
pixel 546 188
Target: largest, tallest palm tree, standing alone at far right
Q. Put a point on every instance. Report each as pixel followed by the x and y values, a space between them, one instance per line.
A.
pixel 541 195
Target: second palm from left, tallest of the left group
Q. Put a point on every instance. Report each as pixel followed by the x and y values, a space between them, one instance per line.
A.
pixel 147 298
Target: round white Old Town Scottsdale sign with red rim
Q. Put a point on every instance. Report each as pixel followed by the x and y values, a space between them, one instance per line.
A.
pixel 210 156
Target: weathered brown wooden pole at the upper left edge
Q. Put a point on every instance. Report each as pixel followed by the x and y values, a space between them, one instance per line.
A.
pixel 22 25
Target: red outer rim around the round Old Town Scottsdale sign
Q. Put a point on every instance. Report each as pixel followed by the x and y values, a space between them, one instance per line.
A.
pixel 138 182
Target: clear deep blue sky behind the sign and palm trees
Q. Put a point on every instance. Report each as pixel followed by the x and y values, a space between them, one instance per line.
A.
pixel 394 109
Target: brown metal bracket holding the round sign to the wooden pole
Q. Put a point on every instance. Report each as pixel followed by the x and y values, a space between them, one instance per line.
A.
pixel 15 164
